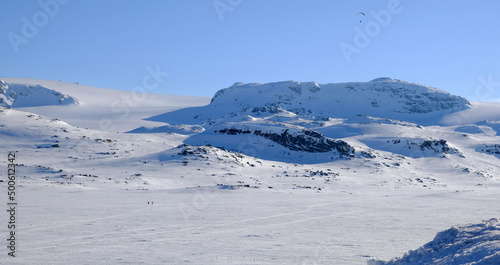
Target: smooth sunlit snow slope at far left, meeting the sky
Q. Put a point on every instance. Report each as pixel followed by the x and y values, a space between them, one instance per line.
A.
pixel 97 108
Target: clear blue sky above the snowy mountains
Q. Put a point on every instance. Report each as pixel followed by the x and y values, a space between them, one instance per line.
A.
pixel 206 45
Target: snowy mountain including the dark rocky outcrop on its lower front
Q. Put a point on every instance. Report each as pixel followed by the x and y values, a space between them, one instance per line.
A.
pixel 299 122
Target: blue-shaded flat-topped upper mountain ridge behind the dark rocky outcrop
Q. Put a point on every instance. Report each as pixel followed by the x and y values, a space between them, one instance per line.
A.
pixel 381 97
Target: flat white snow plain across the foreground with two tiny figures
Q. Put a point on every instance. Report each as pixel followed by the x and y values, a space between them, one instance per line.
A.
pixel 258 226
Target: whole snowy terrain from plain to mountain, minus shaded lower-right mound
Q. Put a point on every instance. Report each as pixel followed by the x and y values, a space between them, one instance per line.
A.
pixel 269 177
